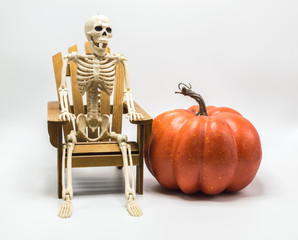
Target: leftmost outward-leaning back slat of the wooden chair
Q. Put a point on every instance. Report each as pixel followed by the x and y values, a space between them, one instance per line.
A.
pixel 58 64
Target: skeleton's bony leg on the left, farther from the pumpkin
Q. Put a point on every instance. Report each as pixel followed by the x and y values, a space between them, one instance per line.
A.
pixel 65 209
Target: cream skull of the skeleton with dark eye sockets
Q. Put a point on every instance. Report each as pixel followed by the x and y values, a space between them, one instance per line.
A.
pixel 98 31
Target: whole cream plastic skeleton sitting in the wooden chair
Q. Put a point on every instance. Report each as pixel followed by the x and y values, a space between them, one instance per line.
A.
pixel 96 73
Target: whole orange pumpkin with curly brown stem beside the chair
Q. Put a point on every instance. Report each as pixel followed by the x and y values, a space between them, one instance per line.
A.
pixel 211 149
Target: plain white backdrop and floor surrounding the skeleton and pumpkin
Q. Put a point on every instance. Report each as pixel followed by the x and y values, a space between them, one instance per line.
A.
pixel 237 53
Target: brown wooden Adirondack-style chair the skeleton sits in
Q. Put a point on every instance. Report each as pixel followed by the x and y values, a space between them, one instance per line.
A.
pixel 104 153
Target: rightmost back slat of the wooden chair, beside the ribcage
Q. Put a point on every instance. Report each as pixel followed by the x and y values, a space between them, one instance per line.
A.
pixel 118 99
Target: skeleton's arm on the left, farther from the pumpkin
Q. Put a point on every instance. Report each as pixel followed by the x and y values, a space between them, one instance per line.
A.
pixel 63 93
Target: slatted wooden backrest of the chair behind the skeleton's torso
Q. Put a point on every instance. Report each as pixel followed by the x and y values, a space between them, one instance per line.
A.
pixel 78 101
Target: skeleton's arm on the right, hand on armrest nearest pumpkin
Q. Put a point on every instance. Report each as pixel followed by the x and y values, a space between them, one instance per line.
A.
pixel 132 114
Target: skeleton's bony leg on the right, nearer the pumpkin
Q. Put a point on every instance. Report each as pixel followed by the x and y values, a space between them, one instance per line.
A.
pixel 130 193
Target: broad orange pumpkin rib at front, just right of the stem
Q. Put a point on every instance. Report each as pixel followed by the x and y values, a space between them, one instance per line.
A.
pixel 218 136
